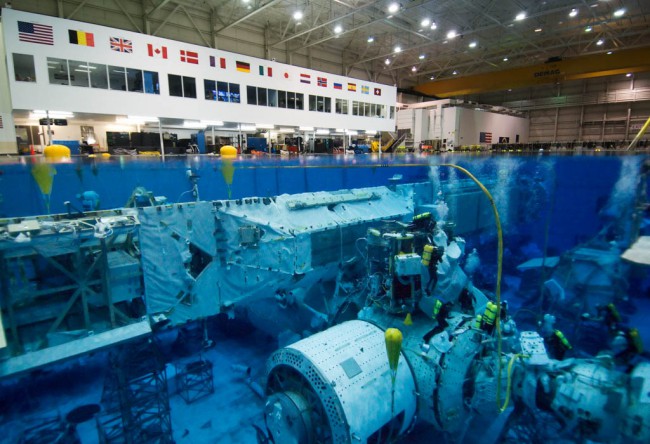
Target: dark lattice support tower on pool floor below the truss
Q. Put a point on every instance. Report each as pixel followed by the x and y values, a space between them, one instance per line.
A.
pixel 136 397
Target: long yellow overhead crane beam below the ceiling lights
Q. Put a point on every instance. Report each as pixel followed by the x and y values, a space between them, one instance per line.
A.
pixel 582 67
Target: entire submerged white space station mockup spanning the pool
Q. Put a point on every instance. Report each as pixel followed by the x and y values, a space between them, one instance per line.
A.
pixel 372 288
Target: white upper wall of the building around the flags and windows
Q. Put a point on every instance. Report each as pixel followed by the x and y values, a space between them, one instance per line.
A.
pixel 43 95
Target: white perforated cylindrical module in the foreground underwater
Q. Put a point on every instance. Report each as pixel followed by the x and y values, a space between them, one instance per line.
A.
pixel 343 375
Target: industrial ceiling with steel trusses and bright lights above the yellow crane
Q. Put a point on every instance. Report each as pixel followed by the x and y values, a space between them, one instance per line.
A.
pixel 410 44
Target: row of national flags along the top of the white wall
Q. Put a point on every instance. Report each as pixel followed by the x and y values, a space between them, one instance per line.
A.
pixel 43 34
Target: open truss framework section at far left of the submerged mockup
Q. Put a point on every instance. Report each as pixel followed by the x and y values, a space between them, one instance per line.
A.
pixel 65 280
